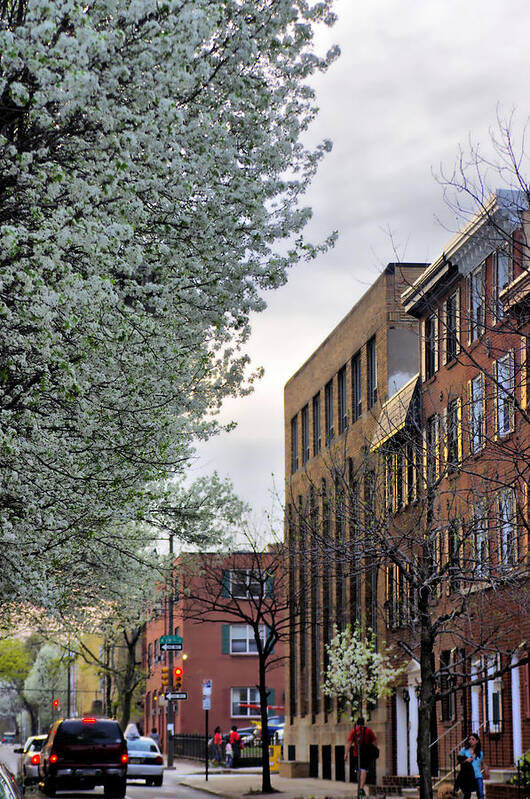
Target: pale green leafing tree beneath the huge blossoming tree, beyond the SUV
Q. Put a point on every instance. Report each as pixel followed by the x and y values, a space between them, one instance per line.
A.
pixel 103 625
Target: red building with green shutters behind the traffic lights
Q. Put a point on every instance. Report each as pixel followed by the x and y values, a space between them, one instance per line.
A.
pixel 222 650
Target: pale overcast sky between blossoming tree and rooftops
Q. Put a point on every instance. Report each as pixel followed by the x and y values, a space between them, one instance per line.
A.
pixel 415 79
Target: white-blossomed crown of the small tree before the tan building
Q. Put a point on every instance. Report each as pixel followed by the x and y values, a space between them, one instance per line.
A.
pixel 357 671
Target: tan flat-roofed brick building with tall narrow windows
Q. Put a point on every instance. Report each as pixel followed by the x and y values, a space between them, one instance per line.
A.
pixel 332 405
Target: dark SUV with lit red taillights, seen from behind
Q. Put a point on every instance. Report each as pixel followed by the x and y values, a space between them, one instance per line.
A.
pixel 83 753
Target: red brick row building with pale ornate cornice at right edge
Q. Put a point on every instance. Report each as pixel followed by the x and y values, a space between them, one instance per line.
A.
pixel 471 304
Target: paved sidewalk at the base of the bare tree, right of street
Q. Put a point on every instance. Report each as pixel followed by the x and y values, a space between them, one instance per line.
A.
pixel 240 783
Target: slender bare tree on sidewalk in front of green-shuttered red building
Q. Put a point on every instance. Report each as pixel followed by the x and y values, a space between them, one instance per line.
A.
pixel 248 587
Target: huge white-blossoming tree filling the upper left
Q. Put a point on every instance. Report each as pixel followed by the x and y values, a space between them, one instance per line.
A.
pixel 151 176
